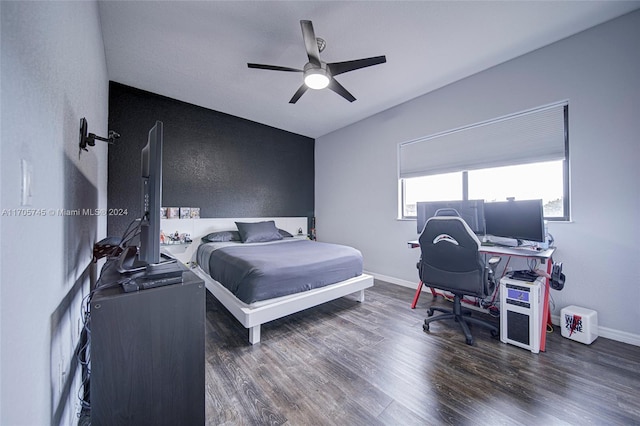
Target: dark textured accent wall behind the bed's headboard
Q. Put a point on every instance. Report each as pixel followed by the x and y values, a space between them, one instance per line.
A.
pixel 226 165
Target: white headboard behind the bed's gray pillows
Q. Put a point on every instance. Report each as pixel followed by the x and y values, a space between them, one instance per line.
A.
pixel 198 228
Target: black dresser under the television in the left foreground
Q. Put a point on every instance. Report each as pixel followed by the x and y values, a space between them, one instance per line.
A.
pixel 147 353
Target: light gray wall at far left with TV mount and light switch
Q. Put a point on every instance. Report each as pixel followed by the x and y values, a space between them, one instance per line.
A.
pixel 53 73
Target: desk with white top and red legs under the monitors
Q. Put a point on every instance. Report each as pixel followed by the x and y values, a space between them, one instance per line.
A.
pixel 543 256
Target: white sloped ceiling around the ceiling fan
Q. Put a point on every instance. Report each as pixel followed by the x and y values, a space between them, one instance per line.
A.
pixel 197 51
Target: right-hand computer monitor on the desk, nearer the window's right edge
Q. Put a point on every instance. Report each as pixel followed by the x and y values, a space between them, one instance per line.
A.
pixel 515 219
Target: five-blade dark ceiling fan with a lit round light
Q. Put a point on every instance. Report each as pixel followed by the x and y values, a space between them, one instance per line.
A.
pixel 317 73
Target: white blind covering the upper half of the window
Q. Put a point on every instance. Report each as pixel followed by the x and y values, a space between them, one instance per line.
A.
pixel 526 137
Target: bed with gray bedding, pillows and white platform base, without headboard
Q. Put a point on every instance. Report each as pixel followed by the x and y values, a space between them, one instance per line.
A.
pixel 261 273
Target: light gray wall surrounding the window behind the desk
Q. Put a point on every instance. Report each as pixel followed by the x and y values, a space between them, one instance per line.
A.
pixel 597 71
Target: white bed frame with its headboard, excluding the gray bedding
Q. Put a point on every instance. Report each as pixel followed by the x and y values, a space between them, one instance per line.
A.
pixel 254 315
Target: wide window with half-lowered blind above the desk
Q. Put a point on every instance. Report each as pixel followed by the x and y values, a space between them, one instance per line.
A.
pixel 524 156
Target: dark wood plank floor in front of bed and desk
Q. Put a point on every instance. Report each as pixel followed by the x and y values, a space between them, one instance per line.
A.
pixel 346 363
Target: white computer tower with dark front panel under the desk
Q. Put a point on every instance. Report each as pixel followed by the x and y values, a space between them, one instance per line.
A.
pixel 521 306
